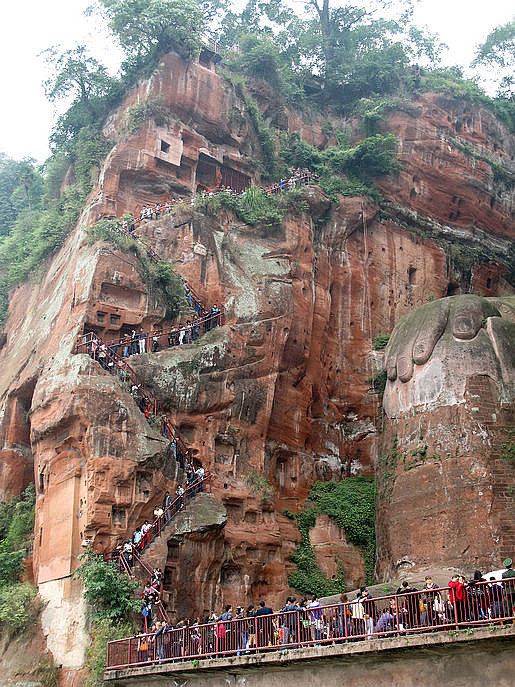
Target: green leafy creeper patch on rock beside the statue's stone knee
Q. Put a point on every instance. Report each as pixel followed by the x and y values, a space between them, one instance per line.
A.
pixel 351 505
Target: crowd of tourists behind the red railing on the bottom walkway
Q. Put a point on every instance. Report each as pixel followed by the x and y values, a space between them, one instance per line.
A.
pixel 245 630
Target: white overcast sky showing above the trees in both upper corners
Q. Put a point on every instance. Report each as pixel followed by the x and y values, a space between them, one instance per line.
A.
pixel 30 26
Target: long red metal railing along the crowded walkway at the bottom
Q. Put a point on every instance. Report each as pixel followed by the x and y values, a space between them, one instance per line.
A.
pixel 397 614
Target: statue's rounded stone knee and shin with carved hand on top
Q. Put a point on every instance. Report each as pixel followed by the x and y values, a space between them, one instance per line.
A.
pixel 446 481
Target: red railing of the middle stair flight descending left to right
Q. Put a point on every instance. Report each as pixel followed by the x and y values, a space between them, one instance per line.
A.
pixel 109 359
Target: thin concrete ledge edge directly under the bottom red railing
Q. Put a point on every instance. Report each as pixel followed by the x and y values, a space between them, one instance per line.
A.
pixel 338 652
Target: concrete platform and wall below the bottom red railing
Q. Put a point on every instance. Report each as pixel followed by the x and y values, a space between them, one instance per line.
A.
pixel 473 656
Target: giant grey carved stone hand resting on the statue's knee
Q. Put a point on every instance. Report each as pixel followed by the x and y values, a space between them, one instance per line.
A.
pixel 437 347
